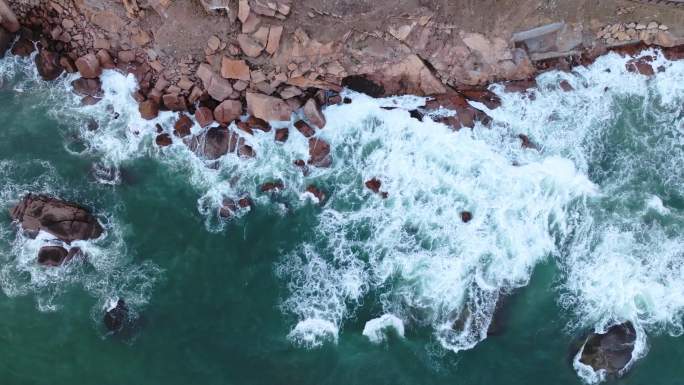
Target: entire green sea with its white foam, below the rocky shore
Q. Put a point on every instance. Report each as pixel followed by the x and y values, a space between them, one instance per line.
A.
pixel 573 237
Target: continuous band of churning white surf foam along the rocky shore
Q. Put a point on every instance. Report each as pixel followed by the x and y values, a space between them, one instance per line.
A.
pixel 412 250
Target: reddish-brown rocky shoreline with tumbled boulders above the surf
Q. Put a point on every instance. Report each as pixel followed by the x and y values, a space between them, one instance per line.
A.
pixel 266 69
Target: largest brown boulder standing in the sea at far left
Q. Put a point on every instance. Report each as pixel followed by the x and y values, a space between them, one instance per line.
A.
pixel 66 221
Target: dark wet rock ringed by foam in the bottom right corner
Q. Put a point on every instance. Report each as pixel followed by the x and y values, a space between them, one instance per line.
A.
pixel 610 351
